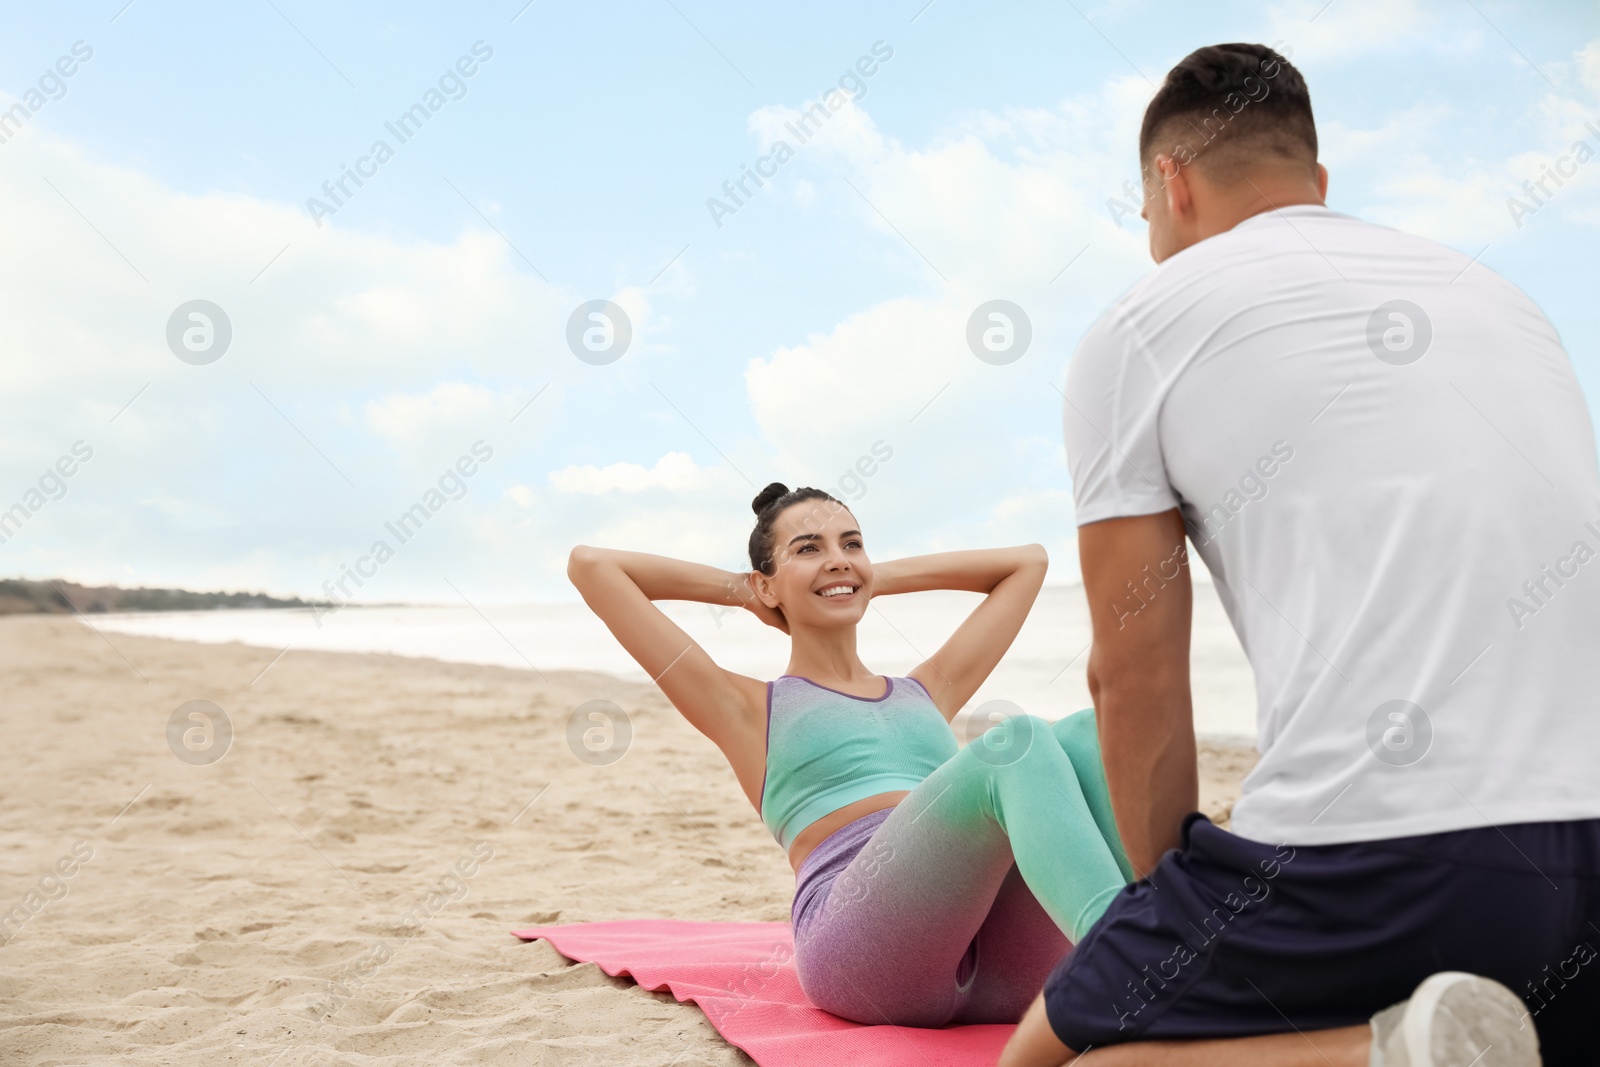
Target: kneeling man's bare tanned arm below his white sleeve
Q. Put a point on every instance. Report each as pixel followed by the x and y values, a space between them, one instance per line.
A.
pixel 1137 581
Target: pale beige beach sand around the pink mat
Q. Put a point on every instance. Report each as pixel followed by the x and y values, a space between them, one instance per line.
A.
pixel 378 820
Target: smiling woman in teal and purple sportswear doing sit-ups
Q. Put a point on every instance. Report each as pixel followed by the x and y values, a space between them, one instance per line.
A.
pixel 934 884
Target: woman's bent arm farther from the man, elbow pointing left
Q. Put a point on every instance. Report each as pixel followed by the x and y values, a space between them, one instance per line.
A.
pixel 620 588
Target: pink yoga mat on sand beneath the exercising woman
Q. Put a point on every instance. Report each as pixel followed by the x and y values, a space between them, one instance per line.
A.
pixel 743 978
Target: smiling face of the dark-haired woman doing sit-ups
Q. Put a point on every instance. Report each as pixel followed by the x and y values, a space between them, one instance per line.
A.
pixel 823 577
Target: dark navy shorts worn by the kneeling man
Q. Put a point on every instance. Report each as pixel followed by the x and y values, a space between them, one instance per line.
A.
pixel 1234 938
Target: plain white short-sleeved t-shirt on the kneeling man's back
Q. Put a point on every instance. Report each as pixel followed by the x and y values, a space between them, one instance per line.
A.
pixel 1383 457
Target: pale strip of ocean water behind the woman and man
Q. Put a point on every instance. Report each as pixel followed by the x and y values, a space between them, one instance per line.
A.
pixel 1044 673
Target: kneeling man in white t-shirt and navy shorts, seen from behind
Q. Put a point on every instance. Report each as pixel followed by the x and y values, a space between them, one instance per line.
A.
pixel 1382 454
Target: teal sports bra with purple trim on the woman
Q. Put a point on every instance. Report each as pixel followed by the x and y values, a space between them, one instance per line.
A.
pixel 828 749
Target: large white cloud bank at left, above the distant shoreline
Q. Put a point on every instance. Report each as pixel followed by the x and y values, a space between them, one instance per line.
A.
pixel 335 308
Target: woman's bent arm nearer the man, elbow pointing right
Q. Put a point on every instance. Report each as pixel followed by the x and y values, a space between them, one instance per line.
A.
pixel 1010 577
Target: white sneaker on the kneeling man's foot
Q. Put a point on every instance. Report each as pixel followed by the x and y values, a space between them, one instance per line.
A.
pixel 1457 1020
